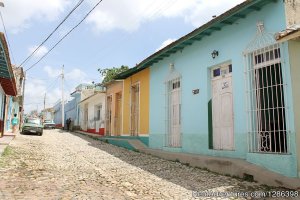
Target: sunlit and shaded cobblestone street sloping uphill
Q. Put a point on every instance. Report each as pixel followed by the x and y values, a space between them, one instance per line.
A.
pixel 62 165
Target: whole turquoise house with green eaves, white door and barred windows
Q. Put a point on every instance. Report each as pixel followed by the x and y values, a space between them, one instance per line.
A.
pixel 226 89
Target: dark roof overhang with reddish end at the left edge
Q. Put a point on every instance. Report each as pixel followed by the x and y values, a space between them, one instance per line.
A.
pixel 7 79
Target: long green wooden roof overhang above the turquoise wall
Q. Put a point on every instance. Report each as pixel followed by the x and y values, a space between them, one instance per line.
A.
pixel 228 18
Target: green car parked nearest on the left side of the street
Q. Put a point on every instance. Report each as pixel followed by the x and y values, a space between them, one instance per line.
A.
pixel 32 125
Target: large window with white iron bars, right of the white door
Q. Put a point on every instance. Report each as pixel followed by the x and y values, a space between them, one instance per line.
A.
pixel 266 106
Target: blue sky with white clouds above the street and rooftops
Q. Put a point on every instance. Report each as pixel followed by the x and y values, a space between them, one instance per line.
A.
pixel 117 32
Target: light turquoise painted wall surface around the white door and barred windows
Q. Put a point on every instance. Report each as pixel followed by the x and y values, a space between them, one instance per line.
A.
pixel 194 63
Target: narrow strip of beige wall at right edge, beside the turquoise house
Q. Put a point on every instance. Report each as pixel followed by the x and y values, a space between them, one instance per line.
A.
pixel 294 51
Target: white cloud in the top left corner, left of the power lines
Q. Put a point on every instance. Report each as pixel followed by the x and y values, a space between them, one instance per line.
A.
pixel 19 15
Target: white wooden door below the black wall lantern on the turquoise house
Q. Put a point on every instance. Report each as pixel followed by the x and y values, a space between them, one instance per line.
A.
pixel 222 110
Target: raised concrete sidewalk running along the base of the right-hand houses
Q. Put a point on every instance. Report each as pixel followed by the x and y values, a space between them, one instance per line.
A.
pixel 226 166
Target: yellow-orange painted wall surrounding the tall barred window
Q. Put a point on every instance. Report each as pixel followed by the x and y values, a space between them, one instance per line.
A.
pixel 142 78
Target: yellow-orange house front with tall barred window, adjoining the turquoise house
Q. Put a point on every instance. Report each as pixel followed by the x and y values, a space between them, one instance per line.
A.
pixel 135 102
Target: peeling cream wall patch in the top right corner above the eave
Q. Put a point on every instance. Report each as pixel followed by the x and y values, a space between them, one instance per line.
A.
pixel 292 10
